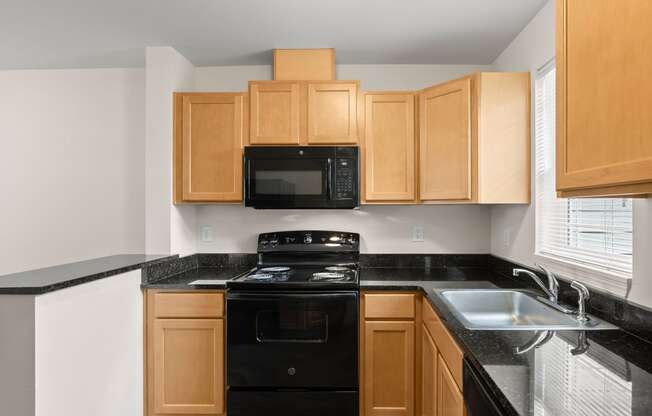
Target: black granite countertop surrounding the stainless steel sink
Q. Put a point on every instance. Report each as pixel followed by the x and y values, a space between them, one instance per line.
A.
pixel 609 374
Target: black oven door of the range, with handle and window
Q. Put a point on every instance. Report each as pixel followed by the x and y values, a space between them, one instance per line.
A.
pixel 292 340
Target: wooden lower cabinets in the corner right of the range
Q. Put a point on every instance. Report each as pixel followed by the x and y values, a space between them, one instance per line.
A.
pixel 406 359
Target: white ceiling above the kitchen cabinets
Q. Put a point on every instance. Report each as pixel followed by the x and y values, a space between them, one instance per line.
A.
pixel 114 33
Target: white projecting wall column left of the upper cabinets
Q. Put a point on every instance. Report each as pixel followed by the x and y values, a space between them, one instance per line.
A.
pixel 169 228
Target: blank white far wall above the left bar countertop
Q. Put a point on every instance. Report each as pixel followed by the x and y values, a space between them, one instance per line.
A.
pixel 71 168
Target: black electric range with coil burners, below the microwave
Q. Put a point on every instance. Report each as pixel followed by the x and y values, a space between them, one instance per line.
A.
pixel 292 327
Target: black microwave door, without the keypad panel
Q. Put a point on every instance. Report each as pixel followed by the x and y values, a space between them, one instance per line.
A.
pixel 288 177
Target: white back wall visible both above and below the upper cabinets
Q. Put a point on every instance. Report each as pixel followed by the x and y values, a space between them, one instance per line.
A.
pixel 384 229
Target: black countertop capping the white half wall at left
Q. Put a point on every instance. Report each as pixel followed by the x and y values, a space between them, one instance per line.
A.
pixel 39 281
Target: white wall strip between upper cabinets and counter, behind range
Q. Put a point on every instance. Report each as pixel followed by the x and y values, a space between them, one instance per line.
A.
pixel 383 229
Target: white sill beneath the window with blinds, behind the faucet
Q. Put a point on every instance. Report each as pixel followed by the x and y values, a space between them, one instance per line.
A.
pixel 613 283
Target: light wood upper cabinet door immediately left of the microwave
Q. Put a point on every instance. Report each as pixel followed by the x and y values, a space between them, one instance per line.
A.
pixel 212 147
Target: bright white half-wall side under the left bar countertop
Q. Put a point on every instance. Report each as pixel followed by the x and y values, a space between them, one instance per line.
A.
pixel 89 349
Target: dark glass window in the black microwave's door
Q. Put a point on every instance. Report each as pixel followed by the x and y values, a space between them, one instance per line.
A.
pixel 289 182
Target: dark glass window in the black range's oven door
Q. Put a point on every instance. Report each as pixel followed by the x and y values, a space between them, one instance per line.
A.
pixel 289 324
